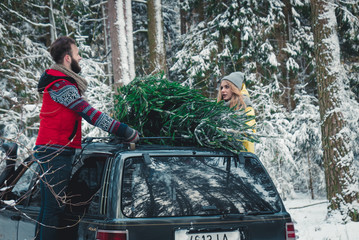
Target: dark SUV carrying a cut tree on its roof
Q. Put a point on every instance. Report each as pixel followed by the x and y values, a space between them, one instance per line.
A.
pixel 143 191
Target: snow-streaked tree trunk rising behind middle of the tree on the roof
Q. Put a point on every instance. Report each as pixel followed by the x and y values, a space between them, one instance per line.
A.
pixel 155 37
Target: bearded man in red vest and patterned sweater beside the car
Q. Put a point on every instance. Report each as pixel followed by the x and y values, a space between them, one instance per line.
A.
pixel 60 131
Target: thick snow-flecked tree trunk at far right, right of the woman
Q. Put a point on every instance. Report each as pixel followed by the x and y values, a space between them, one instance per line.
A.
pixel 337 157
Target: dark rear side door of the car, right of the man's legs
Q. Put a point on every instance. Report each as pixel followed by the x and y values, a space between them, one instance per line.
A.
pixel 84 190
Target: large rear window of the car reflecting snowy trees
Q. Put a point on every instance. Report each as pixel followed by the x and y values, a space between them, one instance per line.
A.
pixel 195 185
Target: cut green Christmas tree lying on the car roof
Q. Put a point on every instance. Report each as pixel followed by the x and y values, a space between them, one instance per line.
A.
pixel 157 107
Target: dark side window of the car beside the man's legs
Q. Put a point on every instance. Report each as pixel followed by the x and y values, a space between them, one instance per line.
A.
pixel 85 183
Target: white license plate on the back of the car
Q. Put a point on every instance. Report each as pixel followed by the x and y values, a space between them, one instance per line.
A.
pixel 184 235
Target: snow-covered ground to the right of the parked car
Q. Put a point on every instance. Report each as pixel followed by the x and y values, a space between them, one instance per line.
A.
pixel 310 221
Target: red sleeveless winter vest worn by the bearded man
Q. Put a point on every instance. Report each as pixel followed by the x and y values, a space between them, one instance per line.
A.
pixel 58 125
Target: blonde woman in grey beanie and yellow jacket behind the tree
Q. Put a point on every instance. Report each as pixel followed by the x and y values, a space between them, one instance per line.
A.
pixel 233 91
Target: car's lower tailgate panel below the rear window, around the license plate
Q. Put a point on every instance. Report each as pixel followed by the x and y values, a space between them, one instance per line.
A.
pixel 165 228
